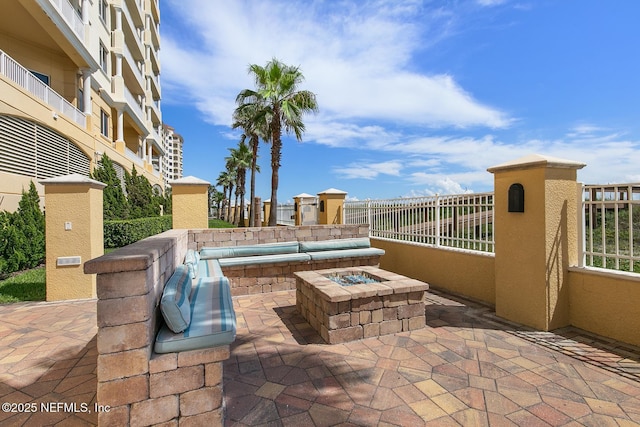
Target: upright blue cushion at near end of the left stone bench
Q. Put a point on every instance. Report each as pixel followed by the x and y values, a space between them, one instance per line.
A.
pixel 175 304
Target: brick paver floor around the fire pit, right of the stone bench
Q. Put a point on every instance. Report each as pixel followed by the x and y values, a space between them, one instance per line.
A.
pixel 467 367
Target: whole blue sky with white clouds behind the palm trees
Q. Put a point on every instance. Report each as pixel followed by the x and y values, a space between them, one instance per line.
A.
pixel 415 97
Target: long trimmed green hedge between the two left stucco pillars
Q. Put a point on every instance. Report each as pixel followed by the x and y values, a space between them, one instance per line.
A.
pixel 124 232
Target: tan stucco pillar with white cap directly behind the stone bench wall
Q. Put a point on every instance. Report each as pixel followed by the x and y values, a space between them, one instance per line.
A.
pixel 190 201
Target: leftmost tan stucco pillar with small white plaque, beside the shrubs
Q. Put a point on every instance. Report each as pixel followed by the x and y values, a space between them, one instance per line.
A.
pixel 74 234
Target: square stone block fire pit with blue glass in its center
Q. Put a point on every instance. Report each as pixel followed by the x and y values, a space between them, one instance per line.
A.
pixel 392 303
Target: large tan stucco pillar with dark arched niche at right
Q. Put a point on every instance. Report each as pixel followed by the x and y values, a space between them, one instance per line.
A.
pixel 536 239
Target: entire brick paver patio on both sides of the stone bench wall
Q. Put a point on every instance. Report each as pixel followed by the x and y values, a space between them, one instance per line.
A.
pixel 467 367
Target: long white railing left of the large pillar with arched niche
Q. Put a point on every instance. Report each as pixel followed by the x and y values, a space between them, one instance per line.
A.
pixel 459 221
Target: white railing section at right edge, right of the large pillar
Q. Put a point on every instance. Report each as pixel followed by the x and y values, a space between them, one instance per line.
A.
pixel 611 221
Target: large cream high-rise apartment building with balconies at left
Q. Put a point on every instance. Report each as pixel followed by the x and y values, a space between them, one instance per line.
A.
pixel 79 79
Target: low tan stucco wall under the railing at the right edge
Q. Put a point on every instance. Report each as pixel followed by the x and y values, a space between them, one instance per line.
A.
pixel 606 303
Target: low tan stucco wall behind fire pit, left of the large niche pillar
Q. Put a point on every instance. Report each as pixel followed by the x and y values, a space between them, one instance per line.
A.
pixel 462 272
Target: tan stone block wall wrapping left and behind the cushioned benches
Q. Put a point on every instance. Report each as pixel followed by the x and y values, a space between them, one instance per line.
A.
pixel 185 388
